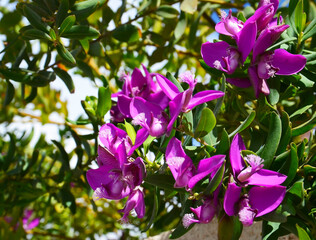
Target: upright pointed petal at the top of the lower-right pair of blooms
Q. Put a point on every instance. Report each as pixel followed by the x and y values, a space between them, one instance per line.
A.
pixel 236 160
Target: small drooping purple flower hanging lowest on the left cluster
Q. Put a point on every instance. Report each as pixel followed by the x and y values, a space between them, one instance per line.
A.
pixel 134 201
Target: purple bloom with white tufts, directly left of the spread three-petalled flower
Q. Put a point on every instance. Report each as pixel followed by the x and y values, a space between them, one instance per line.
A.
pixel 150 116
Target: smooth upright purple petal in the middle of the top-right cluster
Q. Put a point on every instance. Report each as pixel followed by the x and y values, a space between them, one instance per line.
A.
pixel 246 40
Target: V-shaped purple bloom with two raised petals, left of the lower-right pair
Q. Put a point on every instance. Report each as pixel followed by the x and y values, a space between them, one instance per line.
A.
pixel 183 169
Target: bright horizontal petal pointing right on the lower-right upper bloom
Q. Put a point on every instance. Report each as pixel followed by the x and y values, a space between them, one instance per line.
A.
pixel 265 177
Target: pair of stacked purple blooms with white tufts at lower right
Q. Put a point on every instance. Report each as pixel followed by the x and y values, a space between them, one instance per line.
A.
pixel 264 197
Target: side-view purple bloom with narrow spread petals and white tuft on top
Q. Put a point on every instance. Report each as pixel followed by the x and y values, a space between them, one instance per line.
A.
pixel 184 101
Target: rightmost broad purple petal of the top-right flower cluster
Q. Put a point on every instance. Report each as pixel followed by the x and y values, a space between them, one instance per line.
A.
pixel 287 63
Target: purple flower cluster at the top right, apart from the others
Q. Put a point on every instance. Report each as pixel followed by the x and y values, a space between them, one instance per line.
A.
pixel 255 35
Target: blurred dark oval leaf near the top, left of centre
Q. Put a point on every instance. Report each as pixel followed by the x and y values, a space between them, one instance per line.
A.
pixel 126 33
